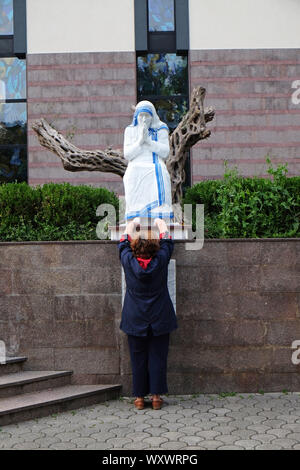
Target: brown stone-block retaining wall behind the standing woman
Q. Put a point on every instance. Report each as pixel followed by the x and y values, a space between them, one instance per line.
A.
pixel 238 308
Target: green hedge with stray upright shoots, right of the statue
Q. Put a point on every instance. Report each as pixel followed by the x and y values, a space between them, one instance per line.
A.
pixel 239 207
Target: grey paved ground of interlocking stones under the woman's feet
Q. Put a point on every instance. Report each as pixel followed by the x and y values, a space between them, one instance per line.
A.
pixel 243 421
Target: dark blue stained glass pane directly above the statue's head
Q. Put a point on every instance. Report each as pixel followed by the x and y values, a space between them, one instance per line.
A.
pixel 162 74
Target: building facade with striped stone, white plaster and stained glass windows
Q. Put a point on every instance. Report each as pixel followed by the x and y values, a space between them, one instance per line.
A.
pixel 82 65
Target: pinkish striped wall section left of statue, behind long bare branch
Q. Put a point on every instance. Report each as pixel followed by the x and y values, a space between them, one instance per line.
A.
pixel 85 94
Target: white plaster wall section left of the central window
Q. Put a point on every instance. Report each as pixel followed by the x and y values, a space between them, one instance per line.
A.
pixel 80 26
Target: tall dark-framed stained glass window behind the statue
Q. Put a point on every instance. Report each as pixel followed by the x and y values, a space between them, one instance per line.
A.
pixel 162 59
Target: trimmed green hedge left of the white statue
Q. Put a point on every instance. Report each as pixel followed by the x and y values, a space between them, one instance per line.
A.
pixel 51 212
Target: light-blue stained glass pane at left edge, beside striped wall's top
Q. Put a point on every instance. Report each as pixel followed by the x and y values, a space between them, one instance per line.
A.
pixel 12 78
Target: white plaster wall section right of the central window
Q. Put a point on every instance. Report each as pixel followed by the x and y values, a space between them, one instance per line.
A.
pixel 244 24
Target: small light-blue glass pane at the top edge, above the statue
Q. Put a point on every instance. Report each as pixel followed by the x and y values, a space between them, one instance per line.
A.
pixel 161 15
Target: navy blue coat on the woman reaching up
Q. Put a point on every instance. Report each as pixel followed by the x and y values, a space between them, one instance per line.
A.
pixel 147 300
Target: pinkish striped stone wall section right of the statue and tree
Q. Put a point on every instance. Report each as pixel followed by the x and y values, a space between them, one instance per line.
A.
pixel 251 91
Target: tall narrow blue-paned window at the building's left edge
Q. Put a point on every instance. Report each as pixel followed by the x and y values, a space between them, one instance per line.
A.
pixel 13 115
